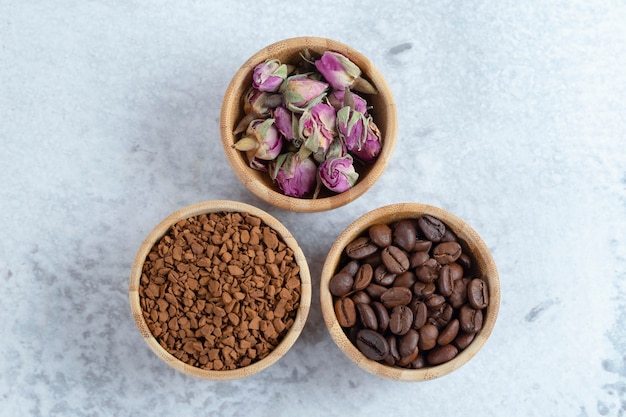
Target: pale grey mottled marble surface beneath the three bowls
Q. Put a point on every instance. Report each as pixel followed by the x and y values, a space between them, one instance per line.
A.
pixel 512 115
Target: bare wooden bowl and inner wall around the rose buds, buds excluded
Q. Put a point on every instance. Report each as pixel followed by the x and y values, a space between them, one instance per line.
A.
pixel 259 183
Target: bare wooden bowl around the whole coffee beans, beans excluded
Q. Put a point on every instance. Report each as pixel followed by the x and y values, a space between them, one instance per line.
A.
pixel 471 242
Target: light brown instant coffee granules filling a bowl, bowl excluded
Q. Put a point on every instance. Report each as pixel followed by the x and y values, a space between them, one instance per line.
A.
pixel 219 291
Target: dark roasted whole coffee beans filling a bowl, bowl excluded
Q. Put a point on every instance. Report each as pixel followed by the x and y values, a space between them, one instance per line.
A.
pixel 408 294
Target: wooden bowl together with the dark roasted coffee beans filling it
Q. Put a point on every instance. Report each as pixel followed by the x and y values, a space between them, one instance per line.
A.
pixel 409 292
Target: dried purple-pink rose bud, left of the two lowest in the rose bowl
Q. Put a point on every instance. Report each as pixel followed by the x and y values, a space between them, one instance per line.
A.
pixel 296 177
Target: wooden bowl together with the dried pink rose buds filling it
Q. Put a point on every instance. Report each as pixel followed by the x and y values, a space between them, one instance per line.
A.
pixel 317 183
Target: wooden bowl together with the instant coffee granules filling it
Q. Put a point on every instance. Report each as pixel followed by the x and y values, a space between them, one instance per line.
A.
pixel 220 290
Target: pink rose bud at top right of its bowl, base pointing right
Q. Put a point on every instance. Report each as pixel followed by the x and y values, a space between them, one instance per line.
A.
pixel 342 73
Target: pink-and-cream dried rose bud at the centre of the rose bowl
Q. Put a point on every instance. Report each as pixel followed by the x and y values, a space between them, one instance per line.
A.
pixel 317 127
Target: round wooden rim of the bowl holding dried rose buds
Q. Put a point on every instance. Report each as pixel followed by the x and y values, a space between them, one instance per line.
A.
pixel 272 196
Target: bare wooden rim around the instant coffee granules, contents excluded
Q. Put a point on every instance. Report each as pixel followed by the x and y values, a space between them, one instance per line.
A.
pixel 196 210
